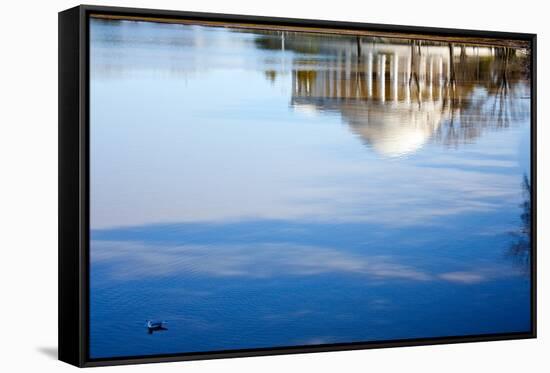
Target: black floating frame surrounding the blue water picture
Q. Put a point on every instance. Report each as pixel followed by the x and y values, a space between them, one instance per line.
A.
pixel 74 181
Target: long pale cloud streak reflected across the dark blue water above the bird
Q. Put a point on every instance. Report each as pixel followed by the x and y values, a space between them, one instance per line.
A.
pixel 135 260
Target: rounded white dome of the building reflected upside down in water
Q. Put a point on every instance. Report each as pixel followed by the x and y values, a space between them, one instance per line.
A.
pixel 394 130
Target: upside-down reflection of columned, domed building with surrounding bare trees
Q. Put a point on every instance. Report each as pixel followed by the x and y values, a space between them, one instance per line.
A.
pixel 396 97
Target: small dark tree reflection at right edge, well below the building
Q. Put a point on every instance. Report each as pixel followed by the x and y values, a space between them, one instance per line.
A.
pixel 520 248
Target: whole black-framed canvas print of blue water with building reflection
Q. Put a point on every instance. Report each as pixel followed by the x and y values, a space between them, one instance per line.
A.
pixel 238 186
